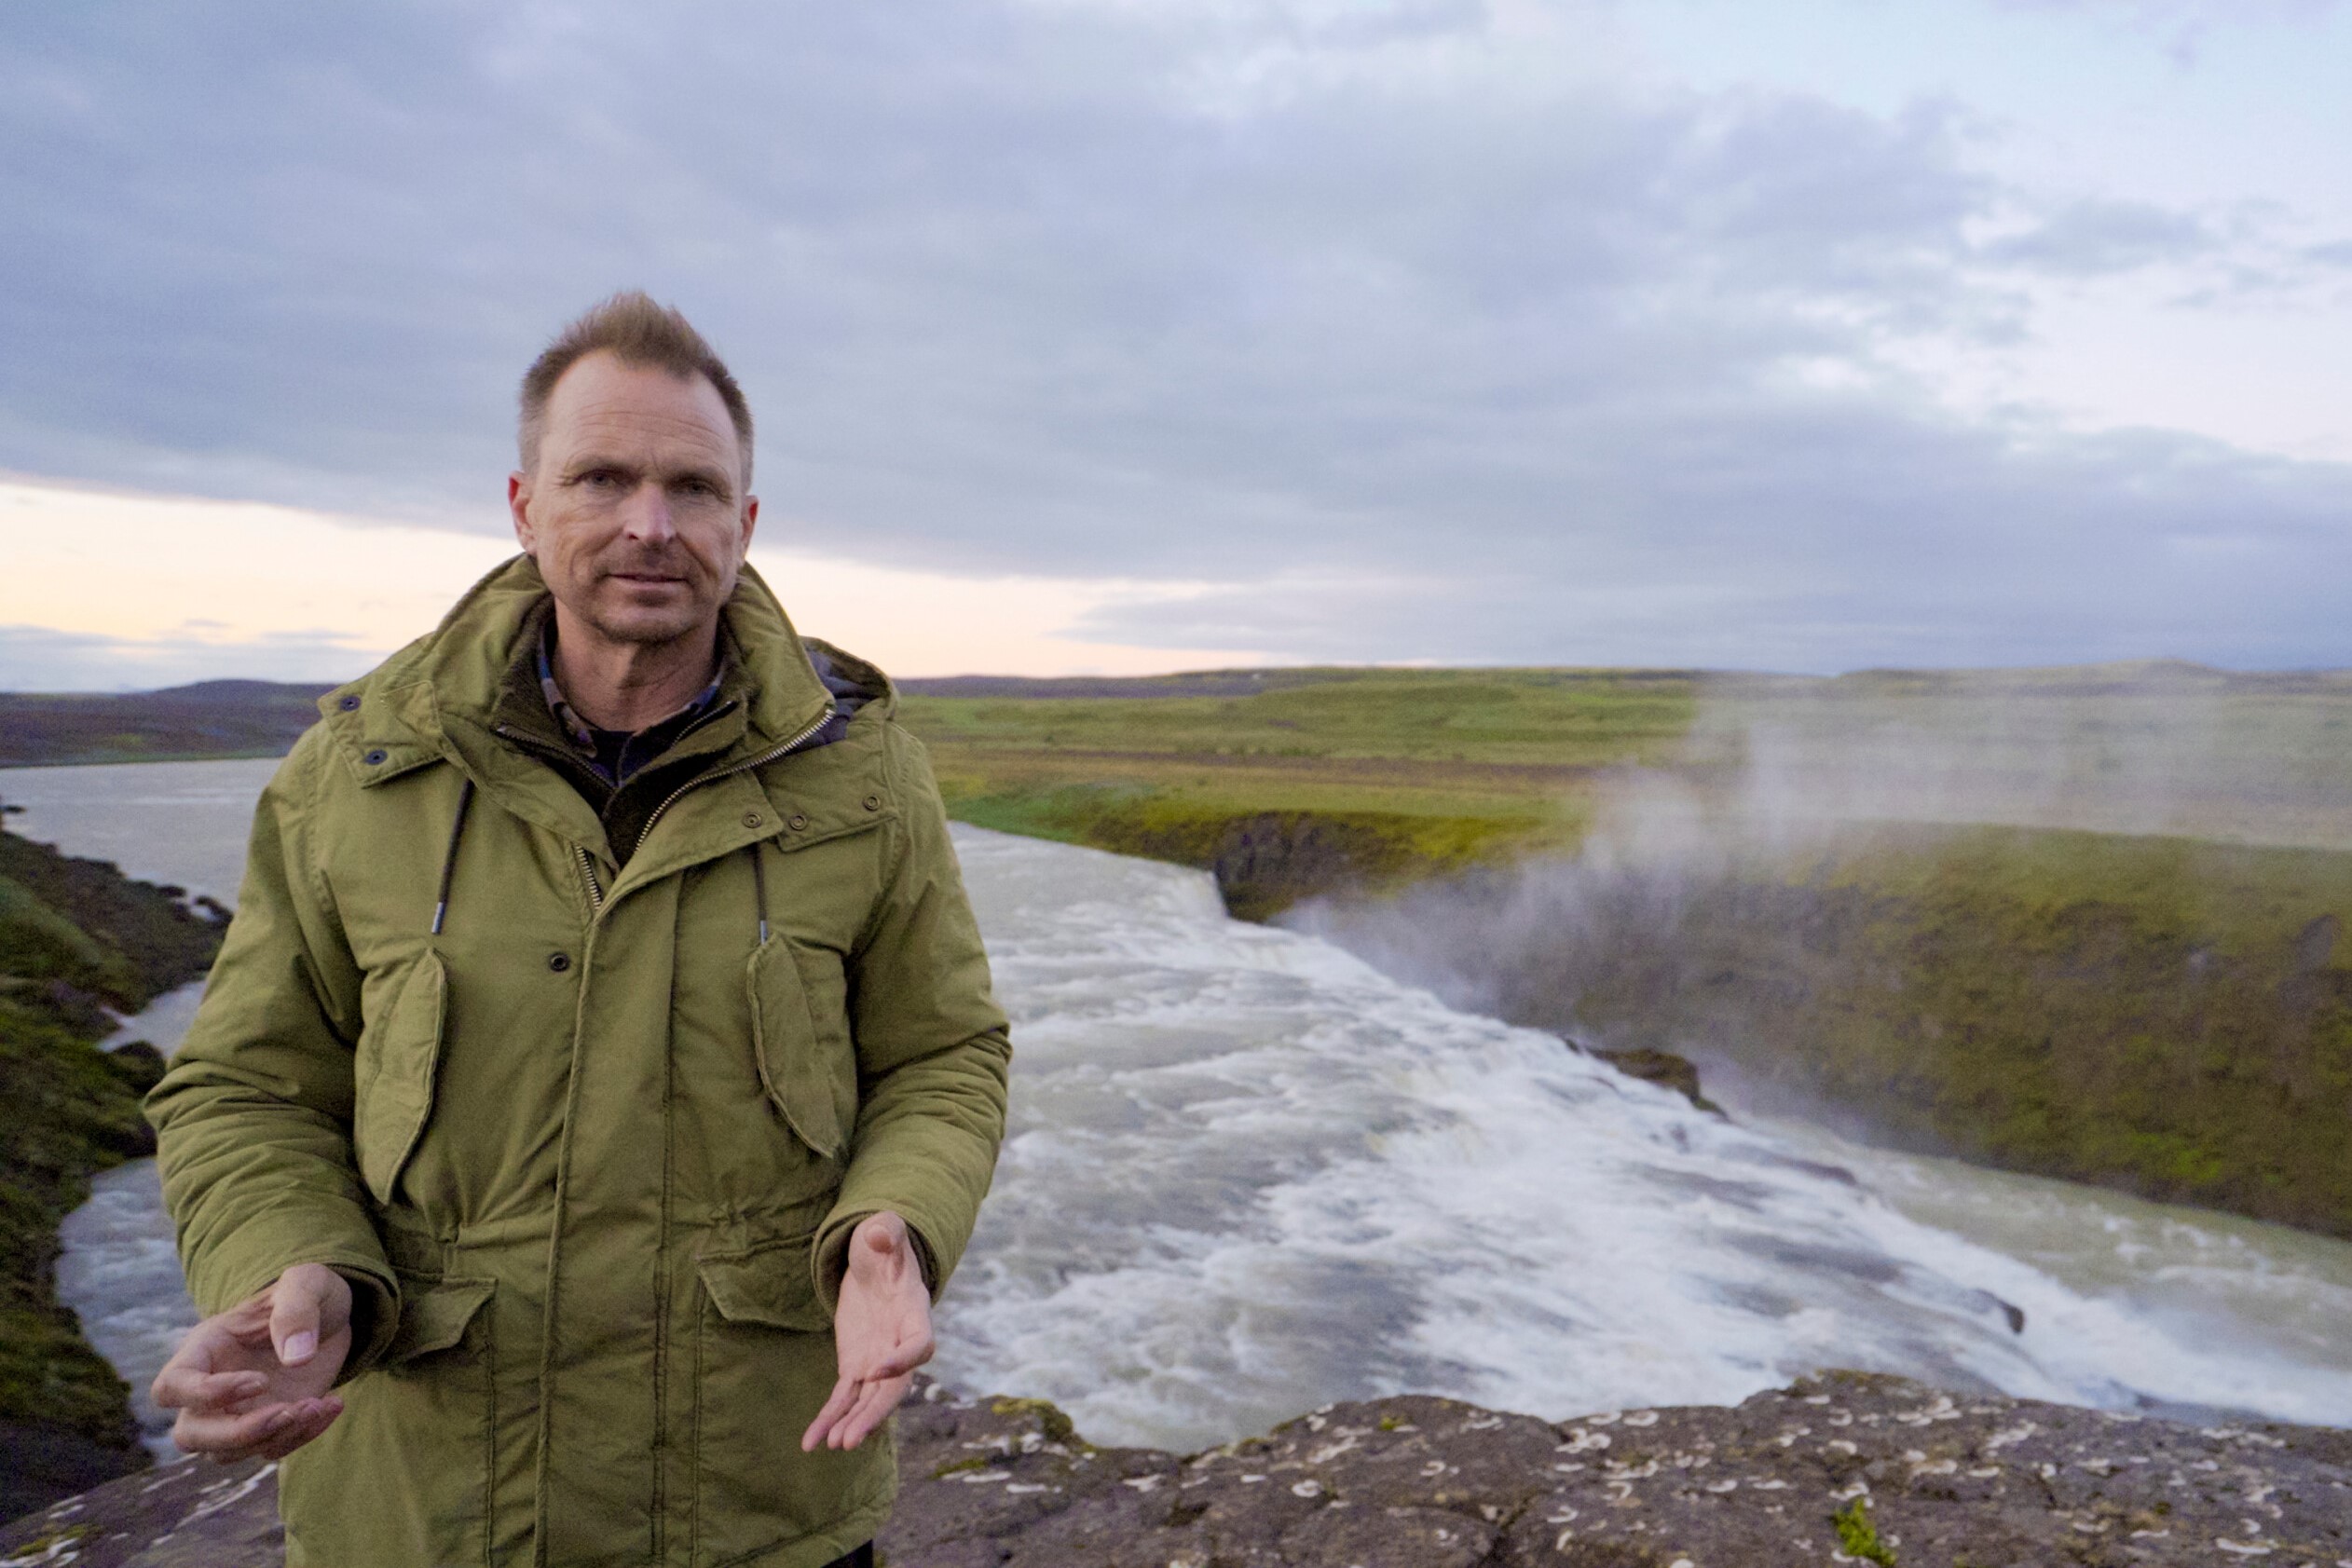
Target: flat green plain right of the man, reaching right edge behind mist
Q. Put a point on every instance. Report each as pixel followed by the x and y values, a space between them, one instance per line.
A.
pixel 1424 772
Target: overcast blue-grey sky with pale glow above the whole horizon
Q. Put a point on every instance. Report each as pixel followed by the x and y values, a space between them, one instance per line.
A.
pixel 1165 333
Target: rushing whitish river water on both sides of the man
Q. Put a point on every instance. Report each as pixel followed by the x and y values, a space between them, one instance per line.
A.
pixel 1248 1174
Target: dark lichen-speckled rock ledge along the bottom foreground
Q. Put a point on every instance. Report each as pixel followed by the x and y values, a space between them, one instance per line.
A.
pixel 1838 1468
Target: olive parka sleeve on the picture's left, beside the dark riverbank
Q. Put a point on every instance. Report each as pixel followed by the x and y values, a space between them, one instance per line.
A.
pixel 253 1123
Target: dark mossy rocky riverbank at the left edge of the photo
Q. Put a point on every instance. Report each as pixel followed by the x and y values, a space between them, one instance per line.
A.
pixel 79 944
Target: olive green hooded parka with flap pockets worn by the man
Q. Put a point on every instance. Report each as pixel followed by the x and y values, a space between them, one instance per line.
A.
pixel 592 1134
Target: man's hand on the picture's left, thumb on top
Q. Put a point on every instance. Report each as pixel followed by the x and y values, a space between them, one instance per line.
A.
pixel 253 1381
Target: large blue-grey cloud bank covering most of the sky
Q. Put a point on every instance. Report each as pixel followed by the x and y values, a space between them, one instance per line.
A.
pixel 1417 356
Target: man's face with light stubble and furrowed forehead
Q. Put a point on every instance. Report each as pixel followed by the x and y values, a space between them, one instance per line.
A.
pixel 636 509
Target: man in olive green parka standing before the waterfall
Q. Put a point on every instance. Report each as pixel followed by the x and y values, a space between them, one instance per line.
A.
pixel 601 1076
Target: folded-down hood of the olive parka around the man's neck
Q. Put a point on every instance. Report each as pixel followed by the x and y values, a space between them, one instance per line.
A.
pixel 450 678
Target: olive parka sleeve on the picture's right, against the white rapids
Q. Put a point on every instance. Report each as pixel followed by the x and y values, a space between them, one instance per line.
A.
pixel 933 1047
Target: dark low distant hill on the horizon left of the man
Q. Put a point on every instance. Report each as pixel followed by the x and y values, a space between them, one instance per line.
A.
pixel 229 718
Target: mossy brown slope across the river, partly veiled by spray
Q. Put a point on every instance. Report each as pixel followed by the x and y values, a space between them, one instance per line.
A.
pixel 2167 1017
